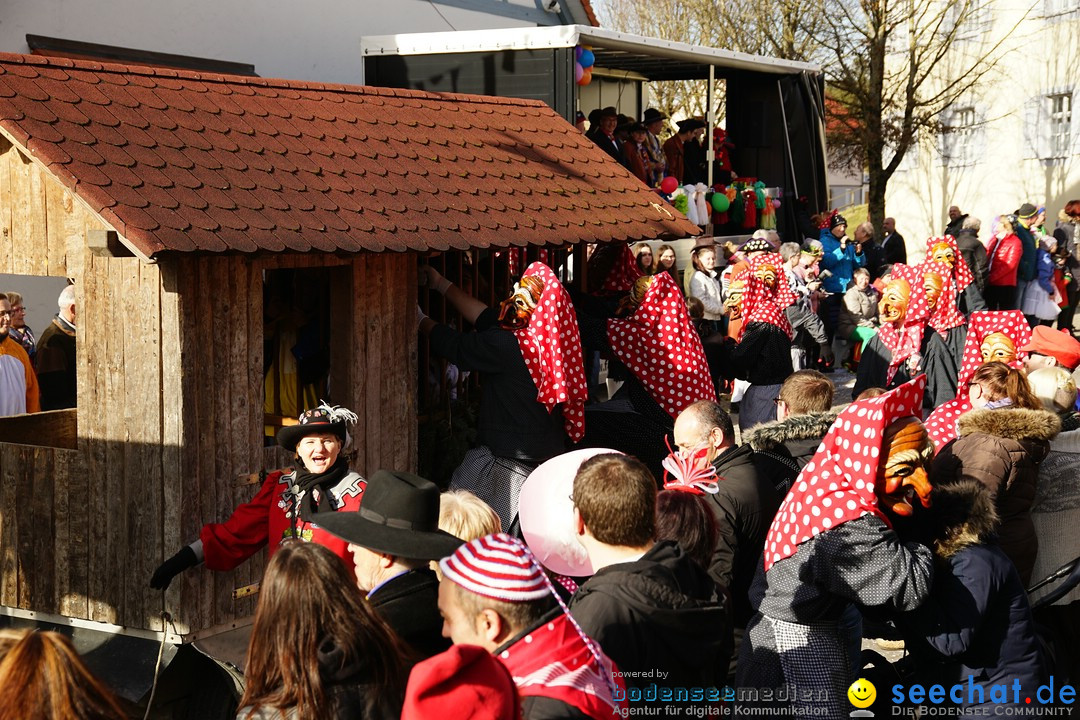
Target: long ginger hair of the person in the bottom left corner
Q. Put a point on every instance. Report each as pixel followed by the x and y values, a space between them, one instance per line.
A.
pixel 43 677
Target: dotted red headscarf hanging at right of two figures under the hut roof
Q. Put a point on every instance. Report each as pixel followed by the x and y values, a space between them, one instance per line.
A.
pixel 660 347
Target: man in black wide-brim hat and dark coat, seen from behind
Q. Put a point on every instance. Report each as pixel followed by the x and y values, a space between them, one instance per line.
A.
pixel 393 538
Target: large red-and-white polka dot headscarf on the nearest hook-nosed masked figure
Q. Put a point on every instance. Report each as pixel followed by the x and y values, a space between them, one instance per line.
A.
pixel 838 485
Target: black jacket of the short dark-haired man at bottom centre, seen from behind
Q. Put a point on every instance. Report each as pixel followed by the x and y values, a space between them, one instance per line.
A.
pixel 660 613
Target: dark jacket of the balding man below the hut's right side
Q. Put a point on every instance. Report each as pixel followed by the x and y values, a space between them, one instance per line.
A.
pixel 745 507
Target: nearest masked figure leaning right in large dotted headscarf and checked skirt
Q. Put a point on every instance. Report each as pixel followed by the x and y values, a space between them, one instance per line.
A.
pixel 832 545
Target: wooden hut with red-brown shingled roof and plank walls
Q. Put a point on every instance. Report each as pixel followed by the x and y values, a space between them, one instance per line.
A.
pixel 170 198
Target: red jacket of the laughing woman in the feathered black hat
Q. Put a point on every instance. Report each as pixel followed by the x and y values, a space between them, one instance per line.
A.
pixel 266 520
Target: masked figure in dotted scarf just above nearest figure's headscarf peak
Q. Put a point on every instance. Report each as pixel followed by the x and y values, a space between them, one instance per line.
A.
pixel 904 347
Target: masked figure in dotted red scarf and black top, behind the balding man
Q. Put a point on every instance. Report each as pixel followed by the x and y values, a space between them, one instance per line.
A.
pixel 762 354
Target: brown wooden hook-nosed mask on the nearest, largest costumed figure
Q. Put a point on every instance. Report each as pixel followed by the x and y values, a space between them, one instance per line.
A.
pixel 903 478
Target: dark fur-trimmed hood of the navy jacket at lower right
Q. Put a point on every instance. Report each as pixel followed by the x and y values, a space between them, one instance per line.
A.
pixel 964 515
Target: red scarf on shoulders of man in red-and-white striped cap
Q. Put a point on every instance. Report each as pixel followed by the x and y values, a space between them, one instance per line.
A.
pixel 555 662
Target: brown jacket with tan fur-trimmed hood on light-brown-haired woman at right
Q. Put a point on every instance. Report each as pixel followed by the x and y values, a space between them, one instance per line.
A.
pixel 1003 450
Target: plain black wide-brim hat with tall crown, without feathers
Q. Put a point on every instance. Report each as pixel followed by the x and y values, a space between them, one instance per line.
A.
pixel 399 515
